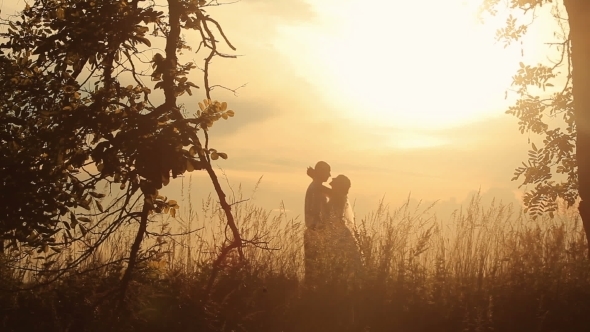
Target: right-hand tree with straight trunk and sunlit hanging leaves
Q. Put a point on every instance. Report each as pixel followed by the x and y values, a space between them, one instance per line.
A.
pixel 554 93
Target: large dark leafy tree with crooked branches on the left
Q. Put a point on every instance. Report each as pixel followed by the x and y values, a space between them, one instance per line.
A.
pixel 80 109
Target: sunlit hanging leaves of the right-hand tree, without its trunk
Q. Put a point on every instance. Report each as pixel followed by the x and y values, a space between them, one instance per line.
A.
pixel 544 107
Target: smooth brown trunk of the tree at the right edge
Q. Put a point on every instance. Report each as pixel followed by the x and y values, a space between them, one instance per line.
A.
pixel 579 21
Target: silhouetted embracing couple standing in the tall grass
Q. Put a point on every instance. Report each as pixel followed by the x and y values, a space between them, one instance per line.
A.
pixel 331 253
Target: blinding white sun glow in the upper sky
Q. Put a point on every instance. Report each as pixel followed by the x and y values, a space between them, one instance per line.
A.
pixel 411 64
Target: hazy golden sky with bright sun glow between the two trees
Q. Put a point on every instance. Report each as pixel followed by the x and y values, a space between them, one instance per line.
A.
pixel 401 96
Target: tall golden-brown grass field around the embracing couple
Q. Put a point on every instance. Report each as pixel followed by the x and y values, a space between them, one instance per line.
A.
pixel 480 269
